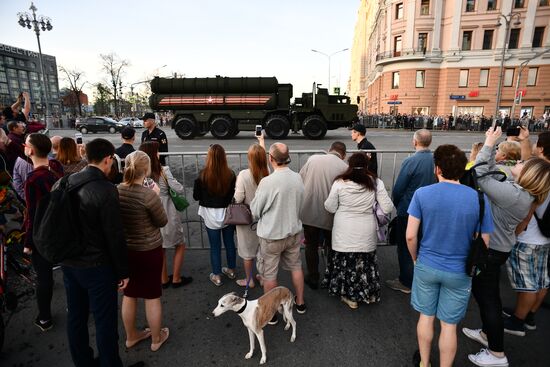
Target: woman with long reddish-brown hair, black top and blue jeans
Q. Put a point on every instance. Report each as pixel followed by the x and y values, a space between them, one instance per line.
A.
pixel 214 189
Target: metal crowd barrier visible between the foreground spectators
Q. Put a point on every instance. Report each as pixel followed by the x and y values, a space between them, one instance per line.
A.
pixel 186 166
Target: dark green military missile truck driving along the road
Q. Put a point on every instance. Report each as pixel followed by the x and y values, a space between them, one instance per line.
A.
pixel 225 106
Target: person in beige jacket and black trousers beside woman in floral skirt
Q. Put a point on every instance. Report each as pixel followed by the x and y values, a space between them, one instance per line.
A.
pixel 318 175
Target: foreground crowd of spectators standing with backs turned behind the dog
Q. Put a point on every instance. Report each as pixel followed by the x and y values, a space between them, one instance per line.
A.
pixel 128 222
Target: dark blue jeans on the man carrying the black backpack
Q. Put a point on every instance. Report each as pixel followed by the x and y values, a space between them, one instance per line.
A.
pixel 92 289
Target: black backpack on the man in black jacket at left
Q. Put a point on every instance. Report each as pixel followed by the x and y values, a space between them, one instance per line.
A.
pixel 56 229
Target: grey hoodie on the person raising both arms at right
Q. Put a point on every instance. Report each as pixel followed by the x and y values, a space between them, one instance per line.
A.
pixel 510 203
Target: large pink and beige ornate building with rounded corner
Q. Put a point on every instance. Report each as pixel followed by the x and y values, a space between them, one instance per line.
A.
pixel 439 57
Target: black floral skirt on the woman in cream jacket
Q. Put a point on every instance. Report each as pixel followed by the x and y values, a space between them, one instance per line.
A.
pixel 353 275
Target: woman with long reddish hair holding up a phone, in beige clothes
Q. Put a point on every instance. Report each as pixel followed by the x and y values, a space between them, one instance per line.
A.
pixel 245 190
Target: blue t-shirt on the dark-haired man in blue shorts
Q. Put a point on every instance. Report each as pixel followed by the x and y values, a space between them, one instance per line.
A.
pixel 449 215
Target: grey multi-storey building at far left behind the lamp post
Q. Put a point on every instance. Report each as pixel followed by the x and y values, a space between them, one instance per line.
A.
pixel 20 72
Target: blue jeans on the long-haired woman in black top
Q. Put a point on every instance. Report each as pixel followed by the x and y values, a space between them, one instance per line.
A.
pixel 215 239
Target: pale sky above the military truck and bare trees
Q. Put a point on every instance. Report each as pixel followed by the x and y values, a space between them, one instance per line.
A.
pixel 197 38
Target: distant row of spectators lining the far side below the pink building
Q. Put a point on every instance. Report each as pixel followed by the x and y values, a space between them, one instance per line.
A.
pixel 470 122
